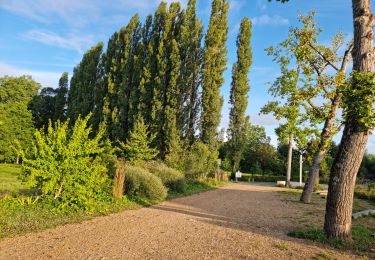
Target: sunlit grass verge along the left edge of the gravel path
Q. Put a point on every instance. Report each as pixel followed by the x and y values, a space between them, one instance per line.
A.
pixel 17 219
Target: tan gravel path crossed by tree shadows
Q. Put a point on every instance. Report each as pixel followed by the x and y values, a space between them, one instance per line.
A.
pixel 237 221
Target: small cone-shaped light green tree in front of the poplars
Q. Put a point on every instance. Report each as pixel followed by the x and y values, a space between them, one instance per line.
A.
pixel 138 145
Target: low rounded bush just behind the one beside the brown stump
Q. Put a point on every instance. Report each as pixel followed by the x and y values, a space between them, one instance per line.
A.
pixel 171 178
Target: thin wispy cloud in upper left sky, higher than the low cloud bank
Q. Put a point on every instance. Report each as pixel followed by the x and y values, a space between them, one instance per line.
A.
pixel 77 43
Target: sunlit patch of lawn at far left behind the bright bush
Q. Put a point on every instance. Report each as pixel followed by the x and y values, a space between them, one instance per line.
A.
pixel 9 181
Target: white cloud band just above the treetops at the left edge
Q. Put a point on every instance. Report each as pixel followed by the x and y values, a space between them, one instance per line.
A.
pixel 45 78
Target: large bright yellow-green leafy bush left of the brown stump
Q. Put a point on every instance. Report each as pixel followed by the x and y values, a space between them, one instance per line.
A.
pixel 66 165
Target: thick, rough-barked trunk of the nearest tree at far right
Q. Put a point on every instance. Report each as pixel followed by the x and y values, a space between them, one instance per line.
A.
pixel 338 218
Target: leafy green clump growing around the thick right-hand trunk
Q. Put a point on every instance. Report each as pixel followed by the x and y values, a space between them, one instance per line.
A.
pixel 358 98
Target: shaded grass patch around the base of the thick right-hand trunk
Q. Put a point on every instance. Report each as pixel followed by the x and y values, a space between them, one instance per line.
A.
pixel 363 239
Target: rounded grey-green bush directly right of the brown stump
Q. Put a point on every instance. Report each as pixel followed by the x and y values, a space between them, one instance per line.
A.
pixel 141 183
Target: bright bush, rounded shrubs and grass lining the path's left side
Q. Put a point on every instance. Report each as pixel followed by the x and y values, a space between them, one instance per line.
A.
pixel 57 191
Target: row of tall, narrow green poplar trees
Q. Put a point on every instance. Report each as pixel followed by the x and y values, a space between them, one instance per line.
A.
pixel 161 72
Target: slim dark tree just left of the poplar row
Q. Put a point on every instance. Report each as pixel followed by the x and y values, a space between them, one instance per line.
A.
pixel 61 98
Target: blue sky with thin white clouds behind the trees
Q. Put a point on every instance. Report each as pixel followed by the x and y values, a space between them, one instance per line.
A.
pixel 44 38
